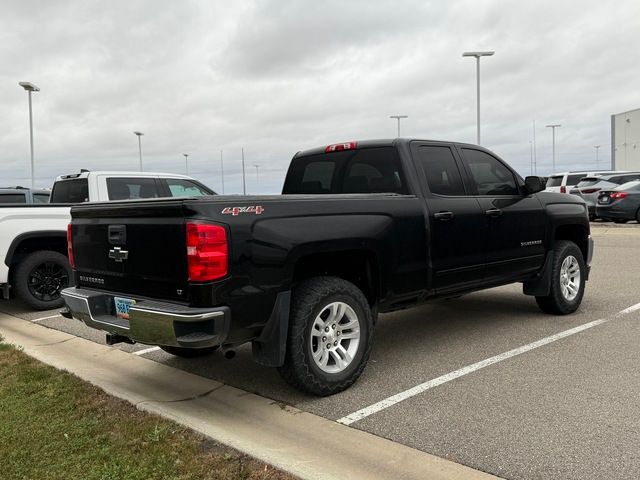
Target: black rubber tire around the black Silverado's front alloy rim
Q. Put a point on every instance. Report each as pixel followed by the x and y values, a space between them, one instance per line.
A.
pixel 557 302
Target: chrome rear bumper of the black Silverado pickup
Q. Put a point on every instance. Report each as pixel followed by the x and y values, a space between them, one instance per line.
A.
pixel 150 321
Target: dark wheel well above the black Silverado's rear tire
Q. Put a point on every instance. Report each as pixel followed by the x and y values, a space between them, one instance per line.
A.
pixel 356 266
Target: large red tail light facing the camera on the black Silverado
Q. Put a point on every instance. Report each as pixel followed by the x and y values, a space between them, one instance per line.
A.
pixel 207 252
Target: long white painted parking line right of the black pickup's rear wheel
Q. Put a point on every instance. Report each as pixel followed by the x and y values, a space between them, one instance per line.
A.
pixel 423 387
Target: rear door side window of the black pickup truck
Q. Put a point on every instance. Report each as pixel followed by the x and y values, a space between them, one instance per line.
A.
pixel 440 168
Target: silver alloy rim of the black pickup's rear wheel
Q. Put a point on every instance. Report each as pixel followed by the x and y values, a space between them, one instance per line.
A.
pixel 335 336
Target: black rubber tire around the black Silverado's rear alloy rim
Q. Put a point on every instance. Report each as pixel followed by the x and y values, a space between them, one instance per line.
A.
pixel 312 299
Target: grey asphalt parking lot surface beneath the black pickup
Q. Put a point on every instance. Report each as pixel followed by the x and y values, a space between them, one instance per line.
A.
pixel 563 408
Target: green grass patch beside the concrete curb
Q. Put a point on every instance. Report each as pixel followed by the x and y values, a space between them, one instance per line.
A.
pixel 55 426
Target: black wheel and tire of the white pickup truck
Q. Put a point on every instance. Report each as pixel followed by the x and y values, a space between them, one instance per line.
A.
pixel 40 277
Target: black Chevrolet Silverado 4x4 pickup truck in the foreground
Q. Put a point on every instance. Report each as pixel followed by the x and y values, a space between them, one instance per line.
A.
pixel 361 228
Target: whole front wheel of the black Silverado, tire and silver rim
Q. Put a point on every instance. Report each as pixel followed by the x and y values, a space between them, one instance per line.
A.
pixel 568 275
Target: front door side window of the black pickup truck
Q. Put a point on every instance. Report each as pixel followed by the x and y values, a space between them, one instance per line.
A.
pixel 490 176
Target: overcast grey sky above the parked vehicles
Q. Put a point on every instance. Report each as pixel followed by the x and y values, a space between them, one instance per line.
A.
pixel 280 76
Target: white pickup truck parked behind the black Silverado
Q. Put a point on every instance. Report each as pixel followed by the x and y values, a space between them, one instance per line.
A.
pixel 33 238
